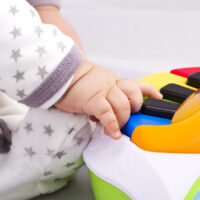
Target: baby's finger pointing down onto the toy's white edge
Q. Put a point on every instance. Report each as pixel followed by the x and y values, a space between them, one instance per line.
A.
pixel 102 110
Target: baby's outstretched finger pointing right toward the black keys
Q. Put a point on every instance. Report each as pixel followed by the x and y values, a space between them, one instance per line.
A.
pixel 149 90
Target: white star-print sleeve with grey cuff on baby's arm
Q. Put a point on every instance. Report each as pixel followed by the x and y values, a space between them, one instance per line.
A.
pixel 38 61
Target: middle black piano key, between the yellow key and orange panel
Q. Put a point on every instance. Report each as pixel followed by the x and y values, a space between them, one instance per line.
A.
pixel 175 92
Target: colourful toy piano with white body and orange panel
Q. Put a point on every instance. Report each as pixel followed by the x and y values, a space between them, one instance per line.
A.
pixel 158 157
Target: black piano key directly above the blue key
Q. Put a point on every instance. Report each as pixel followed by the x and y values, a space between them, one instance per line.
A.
pixel 159 108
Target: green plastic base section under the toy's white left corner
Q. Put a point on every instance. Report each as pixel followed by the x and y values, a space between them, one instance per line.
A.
pixel 104 190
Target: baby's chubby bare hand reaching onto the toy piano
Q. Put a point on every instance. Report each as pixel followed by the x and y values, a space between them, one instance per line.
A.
pixel 98 92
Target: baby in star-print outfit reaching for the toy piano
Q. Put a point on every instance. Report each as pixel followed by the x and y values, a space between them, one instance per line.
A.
pixel 41 142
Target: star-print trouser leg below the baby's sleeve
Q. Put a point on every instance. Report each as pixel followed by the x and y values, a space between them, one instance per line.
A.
pixel 46 150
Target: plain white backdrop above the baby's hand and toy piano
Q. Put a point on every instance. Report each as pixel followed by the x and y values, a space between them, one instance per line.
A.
pixel 135 38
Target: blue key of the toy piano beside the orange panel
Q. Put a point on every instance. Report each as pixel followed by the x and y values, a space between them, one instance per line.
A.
pixel 139 119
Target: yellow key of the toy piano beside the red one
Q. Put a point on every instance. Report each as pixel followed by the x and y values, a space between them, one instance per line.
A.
pixel 161 79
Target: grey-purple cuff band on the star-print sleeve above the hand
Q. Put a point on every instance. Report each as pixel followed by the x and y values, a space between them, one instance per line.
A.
pixel 55 80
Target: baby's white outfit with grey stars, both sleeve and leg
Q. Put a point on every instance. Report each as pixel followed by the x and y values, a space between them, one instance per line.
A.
pixel 40 146
